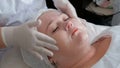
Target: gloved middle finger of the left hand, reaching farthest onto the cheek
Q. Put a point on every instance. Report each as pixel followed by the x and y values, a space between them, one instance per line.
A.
pixel 47 45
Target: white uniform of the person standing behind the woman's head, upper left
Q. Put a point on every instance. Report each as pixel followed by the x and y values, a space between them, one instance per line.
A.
pixel 15 12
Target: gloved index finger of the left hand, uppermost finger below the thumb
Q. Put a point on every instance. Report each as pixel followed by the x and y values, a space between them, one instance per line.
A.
pixel 44 37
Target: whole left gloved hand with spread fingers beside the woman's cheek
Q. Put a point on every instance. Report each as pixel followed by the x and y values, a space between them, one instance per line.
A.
pixel 27 38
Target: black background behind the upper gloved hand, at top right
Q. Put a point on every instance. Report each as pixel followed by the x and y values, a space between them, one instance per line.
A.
pixel 81 7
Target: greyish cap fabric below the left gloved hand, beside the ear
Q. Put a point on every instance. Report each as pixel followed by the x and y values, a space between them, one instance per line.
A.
pixel 34 62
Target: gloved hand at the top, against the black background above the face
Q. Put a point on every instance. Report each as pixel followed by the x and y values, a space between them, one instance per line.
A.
pixel 66 7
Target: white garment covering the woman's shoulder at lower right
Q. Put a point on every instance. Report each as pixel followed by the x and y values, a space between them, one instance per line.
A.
pixel 112 57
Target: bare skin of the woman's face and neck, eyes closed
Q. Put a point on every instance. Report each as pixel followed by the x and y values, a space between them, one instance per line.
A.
pixel 72 40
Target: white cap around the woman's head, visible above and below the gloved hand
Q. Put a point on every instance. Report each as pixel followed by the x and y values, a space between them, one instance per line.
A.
pixel 32 60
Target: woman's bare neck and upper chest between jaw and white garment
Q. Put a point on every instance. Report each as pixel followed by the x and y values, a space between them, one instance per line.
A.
pixel 94 54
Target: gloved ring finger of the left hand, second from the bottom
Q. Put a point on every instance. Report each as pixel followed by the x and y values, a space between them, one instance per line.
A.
pixel 43 50
